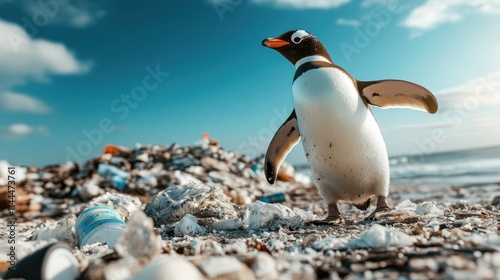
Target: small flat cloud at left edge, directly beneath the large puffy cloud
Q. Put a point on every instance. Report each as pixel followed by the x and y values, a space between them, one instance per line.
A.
pixel 18 102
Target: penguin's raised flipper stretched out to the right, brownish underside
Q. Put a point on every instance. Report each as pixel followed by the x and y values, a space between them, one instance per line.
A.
pixel 398 93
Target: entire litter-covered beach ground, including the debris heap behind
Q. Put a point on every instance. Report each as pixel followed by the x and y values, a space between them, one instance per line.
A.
pixel 172 212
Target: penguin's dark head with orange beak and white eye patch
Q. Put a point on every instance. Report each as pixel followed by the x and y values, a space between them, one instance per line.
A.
pixel 296 44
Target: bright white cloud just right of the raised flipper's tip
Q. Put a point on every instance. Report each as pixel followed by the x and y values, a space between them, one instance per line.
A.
pixel 478 93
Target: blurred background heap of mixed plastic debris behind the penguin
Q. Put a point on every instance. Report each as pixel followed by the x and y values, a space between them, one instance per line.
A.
pixel 144 172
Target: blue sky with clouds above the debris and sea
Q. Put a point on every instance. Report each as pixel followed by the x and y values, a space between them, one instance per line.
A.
pixel 76 75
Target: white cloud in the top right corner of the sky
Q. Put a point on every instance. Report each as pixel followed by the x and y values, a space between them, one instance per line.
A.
pixel 436 12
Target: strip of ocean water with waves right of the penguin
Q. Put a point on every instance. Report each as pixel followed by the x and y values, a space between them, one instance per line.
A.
pixel 458 168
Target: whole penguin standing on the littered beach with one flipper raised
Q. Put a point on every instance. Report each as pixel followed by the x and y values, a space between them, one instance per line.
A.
pixel 343 143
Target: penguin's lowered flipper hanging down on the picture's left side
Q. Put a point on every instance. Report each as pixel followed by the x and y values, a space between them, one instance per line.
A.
pixel 284 140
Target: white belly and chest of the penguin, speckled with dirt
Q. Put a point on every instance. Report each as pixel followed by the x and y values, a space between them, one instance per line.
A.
pixel 342 140
